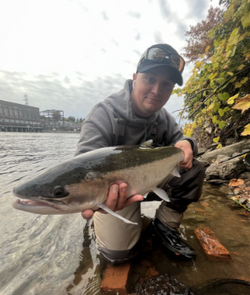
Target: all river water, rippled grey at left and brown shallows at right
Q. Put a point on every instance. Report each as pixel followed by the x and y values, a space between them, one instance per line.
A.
pixel 56 255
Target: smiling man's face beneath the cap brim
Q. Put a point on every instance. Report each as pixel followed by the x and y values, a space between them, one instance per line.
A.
pixel 151 91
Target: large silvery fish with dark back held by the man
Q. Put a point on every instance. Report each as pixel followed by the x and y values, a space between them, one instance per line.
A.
pixel 83 181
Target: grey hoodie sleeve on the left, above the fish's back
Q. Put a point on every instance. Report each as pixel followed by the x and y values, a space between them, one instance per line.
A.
pixel 97 130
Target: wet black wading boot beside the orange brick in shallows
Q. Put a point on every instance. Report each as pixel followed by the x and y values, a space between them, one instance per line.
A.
pixel 171 239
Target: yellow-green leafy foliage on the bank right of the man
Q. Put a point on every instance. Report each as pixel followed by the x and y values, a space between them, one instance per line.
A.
pixel 225 74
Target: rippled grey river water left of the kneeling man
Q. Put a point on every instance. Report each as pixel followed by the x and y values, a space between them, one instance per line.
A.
pixel 39 254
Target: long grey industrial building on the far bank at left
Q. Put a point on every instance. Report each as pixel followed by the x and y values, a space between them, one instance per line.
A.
pixel 19 117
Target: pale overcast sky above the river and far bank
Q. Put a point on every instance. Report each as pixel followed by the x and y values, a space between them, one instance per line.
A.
pixel 71 54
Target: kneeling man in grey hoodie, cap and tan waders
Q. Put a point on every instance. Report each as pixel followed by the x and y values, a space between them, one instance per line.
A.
pixel 130 117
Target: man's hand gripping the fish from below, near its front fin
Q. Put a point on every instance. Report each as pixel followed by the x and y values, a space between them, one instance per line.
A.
pixel 117 200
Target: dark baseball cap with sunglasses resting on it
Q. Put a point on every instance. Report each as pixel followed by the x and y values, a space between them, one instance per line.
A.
pixel 162 55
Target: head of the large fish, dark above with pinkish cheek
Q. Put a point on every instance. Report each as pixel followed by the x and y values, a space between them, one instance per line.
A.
pixel 55 192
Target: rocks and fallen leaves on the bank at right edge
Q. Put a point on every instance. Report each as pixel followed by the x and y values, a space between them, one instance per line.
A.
pixel 231 174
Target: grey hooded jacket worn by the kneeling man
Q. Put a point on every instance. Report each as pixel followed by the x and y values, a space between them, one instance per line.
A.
pixel 113 122
